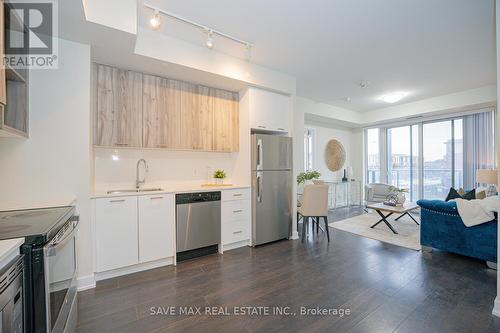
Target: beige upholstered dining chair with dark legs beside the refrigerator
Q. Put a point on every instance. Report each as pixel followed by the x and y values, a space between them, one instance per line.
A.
pixel 314 205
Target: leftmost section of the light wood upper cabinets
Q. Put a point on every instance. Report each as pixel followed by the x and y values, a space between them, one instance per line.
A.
pixel 118 116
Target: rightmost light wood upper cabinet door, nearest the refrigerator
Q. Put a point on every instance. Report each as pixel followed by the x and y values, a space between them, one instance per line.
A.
pixel 226 121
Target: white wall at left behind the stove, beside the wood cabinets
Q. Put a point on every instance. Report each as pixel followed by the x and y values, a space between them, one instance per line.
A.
pixel 52 167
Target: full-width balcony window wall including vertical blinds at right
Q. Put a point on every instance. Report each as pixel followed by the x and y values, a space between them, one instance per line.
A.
pixel 429 157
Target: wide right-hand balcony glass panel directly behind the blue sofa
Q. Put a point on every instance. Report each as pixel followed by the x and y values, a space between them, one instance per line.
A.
pixel 443 157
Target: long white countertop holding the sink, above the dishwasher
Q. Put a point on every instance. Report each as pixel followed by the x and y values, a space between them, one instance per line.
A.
pixel 167 189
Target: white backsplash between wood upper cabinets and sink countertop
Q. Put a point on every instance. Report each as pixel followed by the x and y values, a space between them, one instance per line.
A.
pixel 116 168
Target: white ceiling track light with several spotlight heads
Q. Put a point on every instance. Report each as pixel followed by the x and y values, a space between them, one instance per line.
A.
pixel 155 21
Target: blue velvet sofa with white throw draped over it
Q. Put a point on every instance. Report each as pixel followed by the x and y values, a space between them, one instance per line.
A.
pixel 442 228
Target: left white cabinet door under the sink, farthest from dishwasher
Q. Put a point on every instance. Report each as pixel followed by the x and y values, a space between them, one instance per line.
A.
pixel 116 232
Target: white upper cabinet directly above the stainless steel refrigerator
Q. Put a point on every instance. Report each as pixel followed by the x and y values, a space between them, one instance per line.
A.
pixel 269 111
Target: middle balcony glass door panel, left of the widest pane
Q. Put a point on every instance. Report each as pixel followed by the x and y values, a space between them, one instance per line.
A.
pixel 403 159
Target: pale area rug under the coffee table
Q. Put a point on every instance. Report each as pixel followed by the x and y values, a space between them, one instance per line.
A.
pixel 408 231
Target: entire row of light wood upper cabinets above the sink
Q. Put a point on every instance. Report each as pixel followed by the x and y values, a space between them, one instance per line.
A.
pixel 173 114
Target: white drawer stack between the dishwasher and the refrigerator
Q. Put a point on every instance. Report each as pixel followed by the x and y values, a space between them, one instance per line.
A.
pixel 236 218
